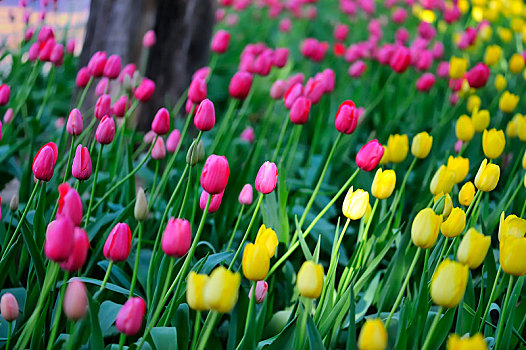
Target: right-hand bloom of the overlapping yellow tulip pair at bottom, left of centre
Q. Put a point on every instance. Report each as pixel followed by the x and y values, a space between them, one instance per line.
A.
pixel 222 289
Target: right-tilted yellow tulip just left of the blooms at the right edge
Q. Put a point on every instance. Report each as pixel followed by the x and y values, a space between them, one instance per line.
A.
pixel 473 248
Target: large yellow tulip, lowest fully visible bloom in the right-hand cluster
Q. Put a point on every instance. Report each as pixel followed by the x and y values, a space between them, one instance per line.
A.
pixel 449 283
